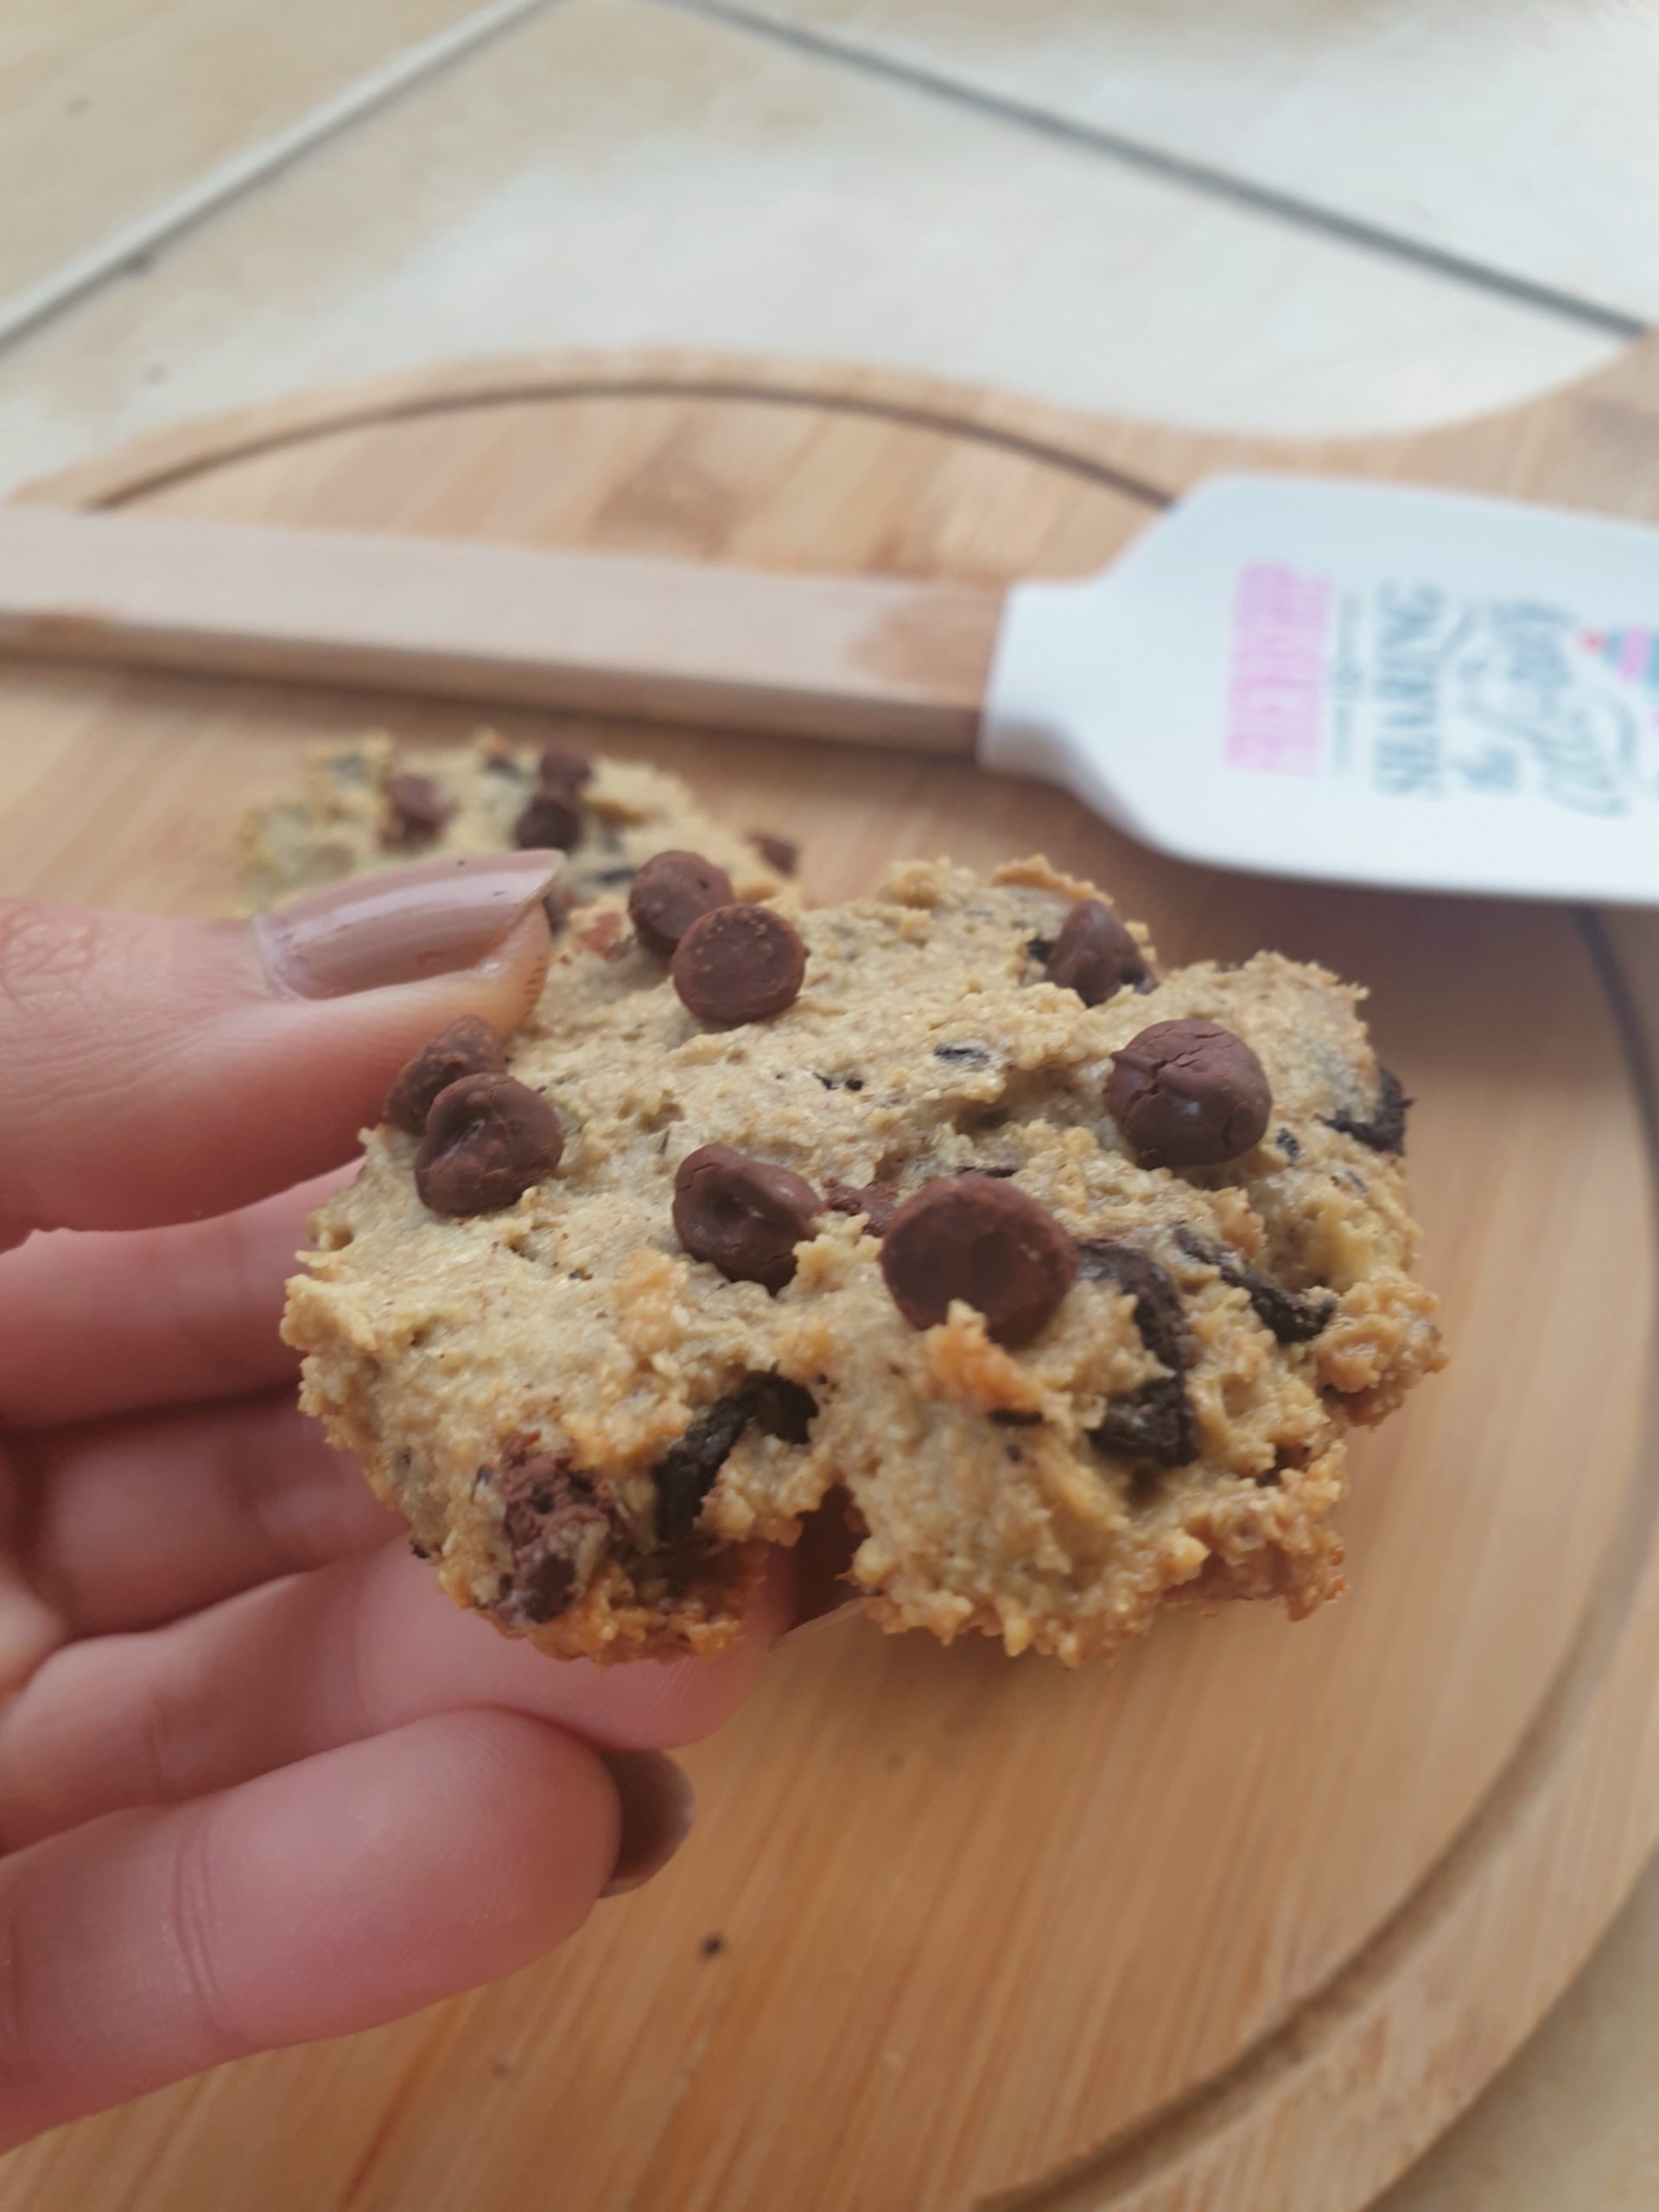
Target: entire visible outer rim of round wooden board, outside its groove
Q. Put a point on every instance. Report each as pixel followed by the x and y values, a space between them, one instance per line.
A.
pixel 1300 2111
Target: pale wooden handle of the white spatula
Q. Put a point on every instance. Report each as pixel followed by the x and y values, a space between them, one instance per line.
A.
pixel 868 660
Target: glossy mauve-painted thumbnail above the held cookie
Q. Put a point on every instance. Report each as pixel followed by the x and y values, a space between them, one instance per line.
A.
pixel 401 926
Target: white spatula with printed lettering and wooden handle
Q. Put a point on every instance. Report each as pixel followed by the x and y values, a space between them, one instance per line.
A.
pixel 1297 678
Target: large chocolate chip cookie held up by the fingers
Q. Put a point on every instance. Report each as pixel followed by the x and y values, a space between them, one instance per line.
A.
pixel 1058 1273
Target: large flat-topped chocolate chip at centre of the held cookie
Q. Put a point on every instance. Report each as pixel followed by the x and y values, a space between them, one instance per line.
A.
pixel 990 1244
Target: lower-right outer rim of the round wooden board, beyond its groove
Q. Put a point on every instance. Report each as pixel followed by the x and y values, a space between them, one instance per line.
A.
pixel 1443 1996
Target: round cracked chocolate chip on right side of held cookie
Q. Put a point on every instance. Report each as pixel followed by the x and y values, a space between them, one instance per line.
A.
pixel 1189 1096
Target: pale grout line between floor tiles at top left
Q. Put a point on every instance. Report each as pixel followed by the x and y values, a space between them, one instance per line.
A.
pixel 127 249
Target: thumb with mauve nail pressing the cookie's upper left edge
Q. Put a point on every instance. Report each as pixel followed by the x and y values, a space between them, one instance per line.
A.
pixel 167 1070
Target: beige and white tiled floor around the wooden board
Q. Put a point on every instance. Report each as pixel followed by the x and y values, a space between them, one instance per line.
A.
pixel 1295 216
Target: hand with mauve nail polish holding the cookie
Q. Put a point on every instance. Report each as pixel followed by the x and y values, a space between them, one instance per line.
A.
pixel 258 1780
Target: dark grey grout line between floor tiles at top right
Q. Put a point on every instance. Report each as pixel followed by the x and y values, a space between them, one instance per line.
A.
pixel 1178 169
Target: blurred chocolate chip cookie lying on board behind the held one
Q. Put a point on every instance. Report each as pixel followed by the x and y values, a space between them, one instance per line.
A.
pixel 368 806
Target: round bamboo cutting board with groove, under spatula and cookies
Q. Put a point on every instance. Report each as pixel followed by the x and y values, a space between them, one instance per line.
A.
pixel 1240 1923
